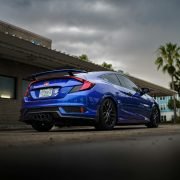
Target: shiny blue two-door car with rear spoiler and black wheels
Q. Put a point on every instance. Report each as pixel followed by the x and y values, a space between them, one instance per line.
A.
pixel 74 97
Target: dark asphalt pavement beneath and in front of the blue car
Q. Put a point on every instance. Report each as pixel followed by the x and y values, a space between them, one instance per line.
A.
pixel 128 152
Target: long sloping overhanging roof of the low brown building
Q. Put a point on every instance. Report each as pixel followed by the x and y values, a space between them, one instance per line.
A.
pixel 19 50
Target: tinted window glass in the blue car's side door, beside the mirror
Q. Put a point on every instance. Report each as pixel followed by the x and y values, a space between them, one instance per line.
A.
pixel 127 83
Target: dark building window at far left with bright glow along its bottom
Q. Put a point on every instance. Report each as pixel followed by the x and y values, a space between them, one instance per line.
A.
pixel 7 87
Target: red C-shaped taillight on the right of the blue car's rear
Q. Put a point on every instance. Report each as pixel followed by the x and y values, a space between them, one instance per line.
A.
pixel 85 86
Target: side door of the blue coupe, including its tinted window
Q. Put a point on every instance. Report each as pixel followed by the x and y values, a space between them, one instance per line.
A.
pixel 136 105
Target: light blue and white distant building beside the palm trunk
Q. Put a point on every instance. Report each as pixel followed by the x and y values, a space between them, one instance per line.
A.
pixel 166 113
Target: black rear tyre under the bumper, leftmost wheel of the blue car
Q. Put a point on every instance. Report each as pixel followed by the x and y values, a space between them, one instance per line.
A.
pixel 42 122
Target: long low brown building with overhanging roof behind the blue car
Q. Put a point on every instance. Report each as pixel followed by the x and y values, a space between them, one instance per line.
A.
pixel 20 57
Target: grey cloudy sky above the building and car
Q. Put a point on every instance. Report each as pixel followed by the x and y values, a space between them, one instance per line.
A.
pixel 125 33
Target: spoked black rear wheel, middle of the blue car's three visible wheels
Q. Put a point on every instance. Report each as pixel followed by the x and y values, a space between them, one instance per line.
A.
pixel 107 115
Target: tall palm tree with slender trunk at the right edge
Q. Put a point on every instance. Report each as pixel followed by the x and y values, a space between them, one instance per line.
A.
pixel 168 60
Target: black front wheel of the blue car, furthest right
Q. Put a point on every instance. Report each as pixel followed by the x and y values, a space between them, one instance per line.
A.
pixel 155 118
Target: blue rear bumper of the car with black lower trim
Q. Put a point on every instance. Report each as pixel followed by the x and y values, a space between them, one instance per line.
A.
pixel 68 107
